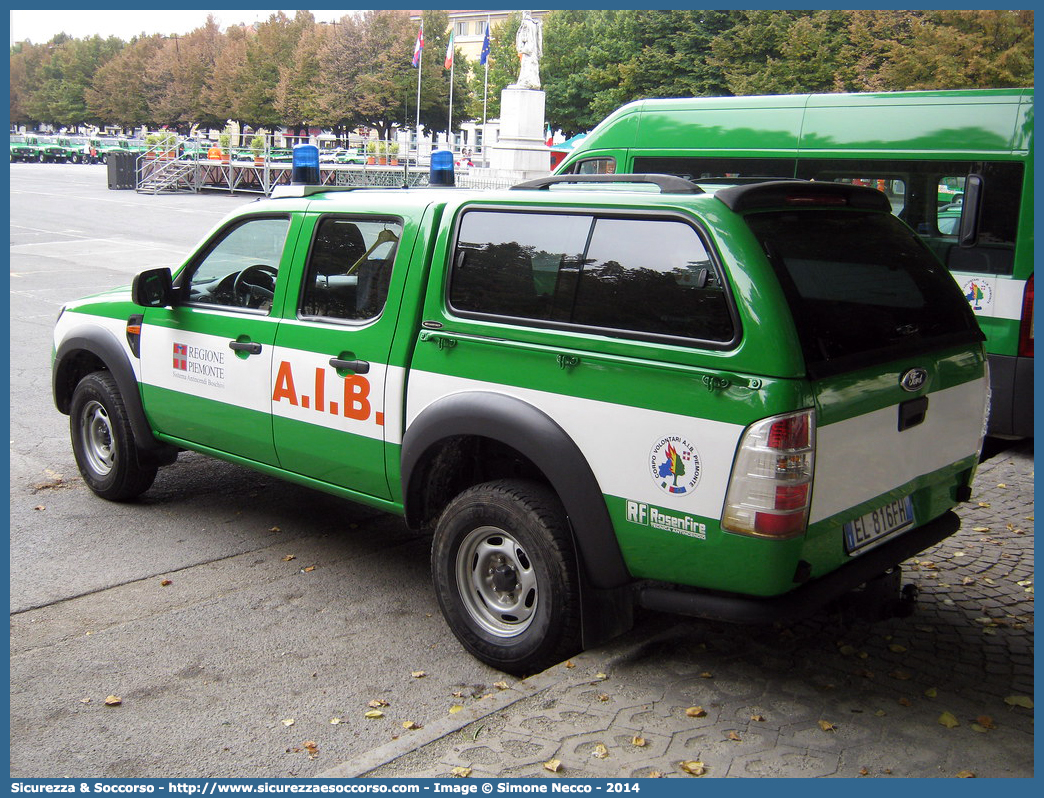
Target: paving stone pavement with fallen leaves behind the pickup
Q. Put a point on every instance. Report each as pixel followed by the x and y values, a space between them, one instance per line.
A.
pixel 928 696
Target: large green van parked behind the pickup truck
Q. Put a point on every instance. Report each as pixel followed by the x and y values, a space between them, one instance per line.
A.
pixel 969 152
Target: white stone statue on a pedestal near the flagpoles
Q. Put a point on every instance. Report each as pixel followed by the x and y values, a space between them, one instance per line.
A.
pixel 521 151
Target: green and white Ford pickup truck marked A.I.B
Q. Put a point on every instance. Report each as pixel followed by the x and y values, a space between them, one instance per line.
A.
pixel 737 405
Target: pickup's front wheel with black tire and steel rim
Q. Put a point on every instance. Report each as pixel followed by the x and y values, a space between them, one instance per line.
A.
pixel 103 441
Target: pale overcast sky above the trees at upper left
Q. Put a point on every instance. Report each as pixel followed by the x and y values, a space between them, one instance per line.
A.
pixel 40 27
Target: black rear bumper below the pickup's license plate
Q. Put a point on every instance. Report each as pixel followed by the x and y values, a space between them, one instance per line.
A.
pixel 808 599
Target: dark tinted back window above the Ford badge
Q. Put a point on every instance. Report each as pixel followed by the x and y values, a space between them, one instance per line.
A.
pixel 863 288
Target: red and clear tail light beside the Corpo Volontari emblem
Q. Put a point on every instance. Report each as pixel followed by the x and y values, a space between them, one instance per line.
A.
pixel 771 489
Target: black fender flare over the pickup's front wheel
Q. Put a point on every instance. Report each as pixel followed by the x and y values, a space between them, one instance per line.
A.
pixel 104 345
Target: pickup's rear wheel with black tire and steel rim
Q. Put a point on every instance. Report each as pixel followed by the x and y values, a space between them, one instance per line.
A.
pixel 506 576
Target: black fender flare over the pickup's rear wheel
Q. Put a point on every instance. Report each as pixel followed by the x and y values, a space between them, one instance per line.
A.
pixel 535 435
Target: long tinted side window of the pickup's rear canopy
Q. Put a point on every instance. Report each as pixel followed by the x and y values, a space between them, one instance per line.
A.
pixel 631 277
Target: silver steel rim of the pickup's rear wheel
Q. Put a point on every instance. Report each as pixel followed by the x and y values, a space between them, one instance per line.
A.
pixel 488 558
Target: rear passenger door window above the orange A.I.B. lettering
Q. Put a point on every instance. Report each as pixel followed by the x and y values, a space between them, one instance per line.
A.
pixel 349 269
